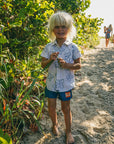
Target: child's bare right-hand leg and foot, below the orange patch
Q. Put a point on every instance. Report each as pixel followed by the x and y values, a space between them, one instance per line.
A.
pixel 68 120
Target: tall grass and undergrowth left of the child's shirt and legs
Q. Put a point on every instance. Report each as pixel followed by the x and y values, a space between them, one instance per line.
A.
pixel 21 95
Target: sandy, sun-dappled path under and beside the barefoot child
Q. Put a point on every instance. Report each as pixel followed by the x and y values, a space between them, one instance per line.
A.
pixel 92 104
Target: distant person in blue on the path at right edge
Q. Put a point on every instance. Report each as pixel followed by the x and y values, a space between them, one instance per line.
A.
pixel 107 32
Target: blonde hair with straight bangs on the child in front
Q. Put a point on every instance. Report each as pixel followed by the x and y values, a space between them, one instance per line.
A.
pixel 61 18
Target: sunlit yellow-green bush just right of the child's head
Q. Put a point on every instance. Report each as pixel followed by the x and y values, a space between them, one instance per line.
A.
pixel 87 30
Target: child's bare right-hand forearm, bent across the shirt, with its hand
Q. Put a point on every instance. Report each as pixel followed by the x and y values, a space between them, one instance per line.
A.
pixel 73 66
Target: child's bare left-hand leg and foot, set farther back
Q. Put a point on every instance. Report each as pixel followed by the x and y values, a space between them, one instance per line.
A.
pixel 53 114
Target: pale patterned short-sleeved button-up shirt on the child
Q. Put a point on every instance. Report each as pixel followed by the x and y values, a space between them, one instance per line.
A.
pixel 59 79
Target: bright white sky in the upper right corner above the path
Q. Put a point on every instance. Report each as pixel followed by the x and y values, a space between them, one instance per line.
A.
pixel 102 9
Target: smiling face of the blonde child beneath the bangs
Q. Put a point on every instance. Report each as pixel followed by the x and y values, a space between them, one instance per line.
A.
pixel 60 32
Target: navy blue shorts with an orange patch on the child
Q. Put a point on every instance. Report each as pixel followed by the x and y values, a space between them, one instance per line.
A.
pixel 63 96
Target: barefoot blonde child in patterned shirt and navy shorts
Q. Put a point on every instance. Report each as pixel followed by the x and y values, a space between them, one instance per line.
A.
pixel 64 57
